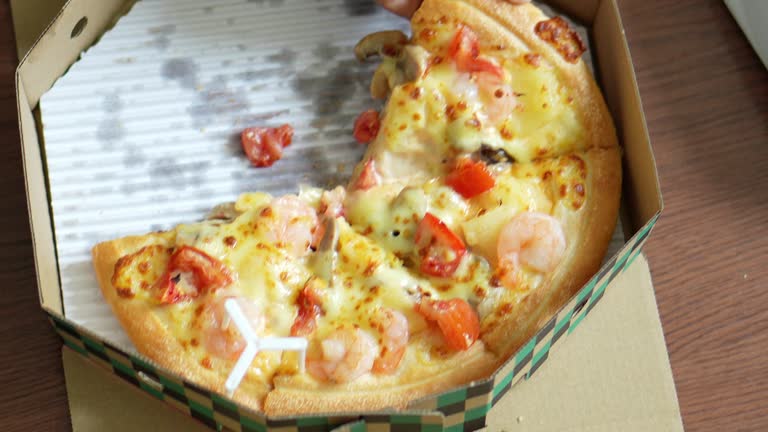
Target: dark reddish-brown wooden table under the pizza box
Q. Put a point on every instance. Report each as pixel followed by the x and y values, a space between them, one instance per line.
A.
pixel 706 101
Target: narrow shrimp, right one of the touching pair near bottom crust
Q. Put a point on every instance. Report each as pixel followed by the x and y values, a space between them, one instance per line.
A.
pixel 393 326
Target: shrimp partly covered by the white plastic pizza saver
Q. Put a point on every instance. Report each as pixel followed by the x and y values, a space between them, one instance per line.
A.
pixel 220 335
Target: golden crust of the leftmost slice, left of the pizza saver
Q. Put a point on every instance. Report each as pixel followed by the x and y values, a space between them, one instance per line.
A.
pixel 149 334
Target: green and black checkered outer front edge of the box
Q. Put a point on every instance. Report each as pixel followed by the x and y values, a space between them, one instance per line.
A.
pixel 463 409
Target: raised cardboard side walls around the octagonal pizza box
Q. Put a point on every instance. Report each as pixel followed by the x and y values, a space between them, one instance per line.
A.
pixel 53 54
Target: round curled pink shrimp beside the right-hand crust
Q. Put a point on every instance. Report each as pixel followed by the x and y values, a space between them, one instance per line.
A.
pixel 531 239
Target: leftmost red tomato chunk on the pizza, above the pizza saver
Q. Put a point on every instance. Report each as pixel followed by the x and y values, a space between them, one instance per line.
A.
pixel 199 272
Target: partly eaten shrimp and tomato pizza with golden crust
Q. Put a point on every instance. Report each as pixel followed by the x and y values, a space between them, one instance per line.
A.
pixel 487 196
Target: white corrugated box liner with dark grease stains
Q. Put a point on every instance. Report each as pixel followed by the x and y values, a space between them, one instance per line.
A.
pixel 143 132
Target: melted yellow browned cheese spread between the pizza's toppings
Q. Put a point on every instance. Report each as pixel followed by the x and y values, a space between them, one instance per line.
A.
pixel 427 123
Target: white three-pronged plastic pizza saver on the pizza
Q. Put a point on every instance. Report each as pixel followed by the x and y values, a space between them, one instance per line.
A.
pixel 254 344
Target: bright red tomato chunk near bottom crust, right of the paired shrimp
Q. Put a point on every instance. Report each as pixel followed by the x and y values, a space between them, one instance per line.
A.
pixel 457 320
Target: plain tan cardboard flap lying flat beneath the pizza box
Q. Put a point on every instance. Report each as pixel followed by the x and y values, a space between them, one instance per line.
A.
pixel 630 389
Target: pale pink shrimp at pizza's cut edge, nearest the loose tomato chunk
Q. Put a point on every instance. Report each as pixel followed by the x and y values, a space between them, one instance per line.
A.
pixel 292 224
